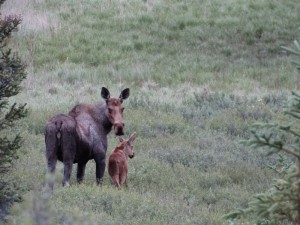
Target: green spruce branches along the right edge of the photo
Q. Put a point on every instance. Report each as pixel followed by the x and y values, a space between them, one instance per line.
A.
pixel 281 203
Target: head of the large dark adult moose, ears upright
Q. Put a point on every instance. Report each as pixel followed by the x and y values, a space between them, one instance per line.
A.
pixel 115 109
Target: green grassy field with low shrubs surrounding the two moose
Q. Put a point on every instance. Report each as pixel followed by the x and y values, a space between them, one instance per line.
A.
pixel 200 73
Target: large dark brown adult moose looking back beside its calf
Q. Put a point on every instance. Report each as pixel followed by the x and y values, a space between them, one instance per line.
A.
pixel 82 135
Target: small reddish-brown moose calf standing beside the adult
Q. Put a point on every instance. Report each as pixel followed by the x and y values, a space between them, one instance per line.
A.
pixel 117 161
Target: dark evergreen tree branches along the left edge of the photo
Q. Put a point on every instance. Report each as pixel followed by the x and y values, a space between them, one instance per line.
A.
pixel 12 72
